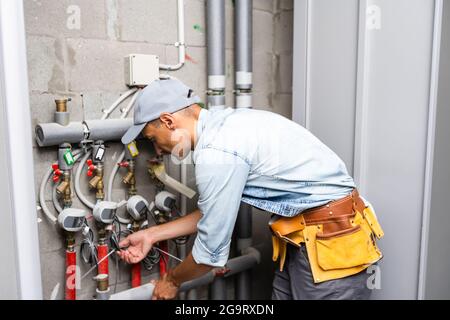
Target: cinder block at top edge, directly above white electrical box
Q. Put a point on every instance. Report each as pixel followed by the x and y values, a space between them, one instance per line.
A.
pixel 150 21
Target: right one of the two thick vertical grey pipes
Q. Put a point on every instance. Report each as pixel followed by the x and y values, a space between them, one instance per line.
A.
pixel 243 91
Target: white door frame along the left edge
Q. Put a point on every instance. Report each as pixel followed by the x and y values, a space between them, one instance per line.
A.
pixel 16 130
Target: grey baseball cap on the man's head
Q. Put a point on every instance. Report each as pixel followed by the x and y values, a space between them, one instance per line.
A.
pixel 160 96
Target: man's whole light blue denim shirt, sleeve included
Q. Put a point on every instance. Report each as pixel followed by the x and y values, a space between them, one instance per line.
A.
pixel 263 159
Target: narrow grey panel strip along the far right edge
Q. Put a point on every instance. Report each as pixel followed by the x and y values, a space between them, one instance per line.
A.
pixel 438 260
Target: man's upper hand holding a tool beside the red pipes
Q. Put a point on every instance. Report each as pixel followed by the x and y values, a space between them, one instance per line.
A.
pixel 138 245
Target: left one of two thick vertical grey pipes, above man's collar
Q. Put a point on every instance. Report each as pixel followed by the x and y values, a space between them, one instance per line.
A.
pixel 215 21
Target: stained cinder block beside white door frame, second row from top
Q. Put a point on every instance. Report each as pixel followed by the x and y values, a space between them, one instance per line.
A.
pixel 45 64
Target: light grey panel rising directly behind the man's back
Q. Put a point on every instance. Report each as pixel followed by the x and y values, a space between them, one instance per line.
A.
pixel 332 68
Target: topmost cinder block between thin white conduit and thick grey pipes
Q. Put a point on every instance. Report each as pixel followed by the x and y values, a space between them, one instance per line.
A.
pixel 195 23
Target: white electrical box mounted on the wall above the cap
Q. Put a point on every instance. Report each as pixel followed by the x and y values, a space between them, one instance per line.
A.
pixel 141 69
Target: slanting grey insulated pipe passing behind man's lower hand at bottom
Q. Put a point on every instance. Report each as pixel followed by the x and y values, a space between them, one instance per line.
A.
pixel 235 266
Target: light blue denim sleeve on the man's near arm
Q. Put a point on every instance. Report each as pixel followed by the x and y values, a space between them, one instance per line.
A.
pixel 220 177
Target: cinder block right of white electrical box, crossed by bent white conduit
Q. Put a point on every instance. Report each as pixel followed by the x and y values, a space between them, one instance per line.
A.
pixel 193 74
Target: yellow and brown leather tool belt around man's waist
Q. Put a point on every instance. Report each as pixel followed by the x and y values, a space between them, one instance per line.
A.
pixel 340 237
